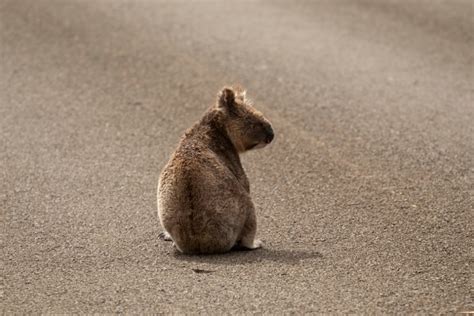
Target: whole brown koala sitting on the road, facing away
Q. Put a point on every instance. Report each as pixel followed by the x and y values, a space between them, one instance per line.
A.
pixel 204 202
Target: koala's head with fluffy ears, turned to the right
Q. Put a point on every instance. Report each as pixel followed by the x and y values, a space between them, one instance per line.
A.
pixel 246 127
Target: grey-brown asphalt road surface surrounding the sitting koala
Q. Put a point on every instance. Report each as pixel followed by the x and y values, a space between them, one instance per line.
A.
pixel 364 200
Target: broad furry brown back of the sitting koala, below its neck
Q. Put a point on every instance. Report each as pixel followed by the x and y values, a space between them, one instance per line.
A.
pixel 201 202
